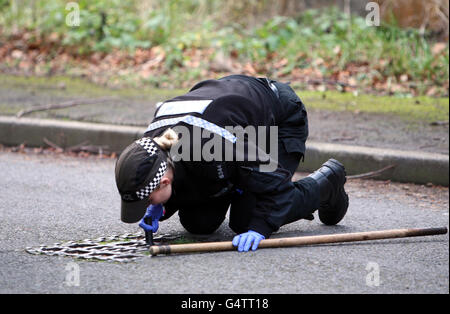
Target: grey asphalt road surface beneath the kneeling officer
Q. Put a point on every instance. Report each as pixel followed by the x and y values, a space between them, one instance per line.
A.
pixel 54 198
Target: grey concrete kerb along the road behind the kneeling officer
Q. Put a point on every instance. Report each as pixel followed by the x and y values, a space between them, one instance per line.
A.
pixel 411 166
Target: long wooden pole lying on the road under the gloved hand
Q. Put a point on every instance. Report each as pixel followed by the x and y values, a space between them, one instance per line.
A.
pixel 298 241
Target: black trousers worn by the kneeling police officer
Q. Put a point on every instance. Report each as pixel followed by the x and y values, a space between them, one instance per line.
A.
pixel 292 134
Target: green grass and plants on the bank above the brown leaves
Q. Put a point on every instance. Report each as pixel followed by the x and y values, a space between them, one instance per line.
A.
pixel 327 41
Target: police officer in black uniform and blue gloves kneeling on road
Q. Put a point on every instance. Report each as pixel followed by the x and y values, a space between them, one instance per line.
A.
pixel 154 182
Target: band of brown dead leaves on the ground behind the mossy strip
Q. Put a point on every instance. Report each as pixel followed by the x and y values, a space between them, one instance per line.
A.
pixel 22 55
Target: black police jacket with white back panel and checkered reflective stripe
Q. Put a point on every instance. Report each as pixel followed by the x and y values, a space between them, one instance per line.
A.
pixel 213 105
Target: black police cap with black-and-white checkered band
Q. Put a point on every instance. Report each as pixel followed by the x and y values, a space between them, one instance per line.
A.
pixel 139 170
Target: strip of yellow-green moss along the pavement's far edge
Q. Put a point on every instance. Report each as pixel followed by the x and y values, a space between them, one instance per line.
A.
pixel 420 108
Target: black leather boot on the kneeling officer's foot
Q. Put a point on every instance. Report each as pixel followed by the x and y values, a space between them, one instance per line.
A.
pixel 333 199
